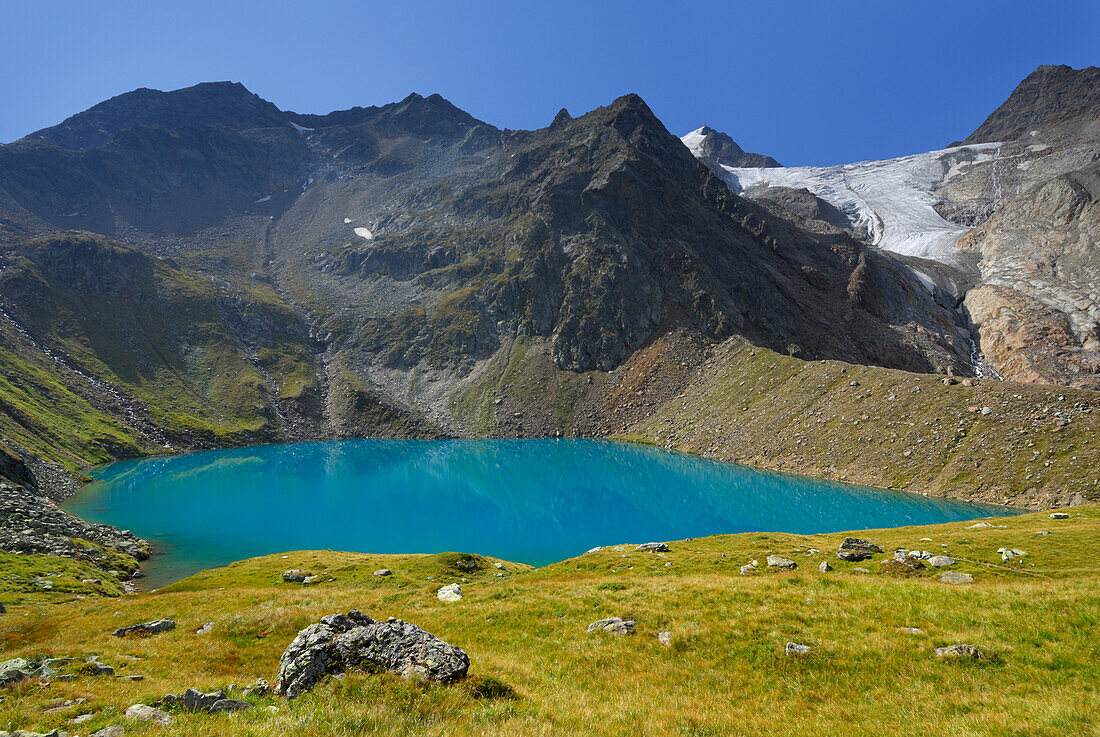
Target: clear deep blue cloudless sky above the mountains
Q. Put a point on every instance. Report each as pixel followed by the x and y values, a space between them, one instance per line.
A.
pixel 808 83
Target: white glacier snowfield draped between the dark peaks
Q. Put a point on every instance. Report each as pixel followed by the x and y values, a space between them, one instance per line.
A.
pixel 892 200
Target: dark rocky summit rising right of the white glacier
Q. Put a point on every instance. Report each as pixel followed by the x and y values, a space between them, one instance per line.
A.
pixel 1051 97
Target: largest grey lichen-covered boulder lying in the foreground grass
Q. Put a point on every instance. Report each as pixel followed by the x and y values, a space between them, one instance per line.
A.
pixel 356 642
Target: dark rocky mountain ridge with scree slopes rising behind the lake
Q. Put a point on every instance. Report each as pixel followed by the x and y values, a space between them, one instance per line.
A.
pixel 199 269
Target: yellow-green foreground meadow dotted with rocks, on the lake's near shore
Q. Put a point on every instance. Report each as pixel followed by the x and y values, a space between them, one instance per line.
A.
pixel 725 674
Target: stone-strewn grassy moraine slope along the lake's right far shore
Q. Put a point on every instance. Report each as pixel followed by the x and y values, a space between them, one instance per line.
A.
pixel 1025 445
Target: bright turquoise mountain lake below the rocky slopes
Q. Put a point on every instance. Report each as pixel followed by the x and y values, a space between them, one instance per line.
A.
pixel 529 501
